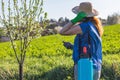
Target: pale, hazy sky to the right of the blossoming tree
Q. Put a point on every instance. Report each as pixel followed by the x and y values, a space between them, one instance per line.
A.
pixel 62 8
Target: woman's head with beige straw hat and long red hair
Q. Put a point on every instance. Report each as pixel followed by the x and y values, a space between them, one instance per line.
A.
pixel 91 13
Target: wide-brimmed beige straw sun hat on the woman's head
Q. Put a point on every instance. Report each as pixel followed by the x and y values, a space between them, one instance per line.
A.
pixel 87 8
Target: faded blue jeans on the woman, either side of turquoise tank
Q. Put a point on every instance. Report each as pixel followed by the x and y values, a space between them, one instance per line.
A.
pixel 96 73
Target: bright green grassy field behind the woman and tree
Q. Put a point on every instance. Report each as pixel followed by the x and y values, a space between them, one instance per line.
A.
pixel 47 59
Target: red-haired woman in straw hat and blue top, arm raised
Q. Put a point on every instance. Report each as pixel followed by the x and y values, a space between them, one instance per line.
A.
pixel 84 23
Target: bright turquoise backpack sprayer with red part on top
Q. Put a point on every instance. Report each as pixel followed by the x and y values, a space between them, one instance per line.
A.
pixel 85 66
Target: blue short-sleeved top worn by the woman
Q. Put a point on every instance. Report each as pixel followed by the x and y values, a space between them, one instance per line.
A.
pixel 91 39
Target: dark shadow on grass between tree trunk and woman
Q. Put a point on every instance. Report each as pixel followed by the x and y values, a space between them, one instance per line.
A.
pixel 58 73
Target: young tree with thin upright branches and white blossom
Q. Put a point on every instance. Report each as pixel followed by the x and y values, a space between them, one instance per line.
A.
pixel 20 22
